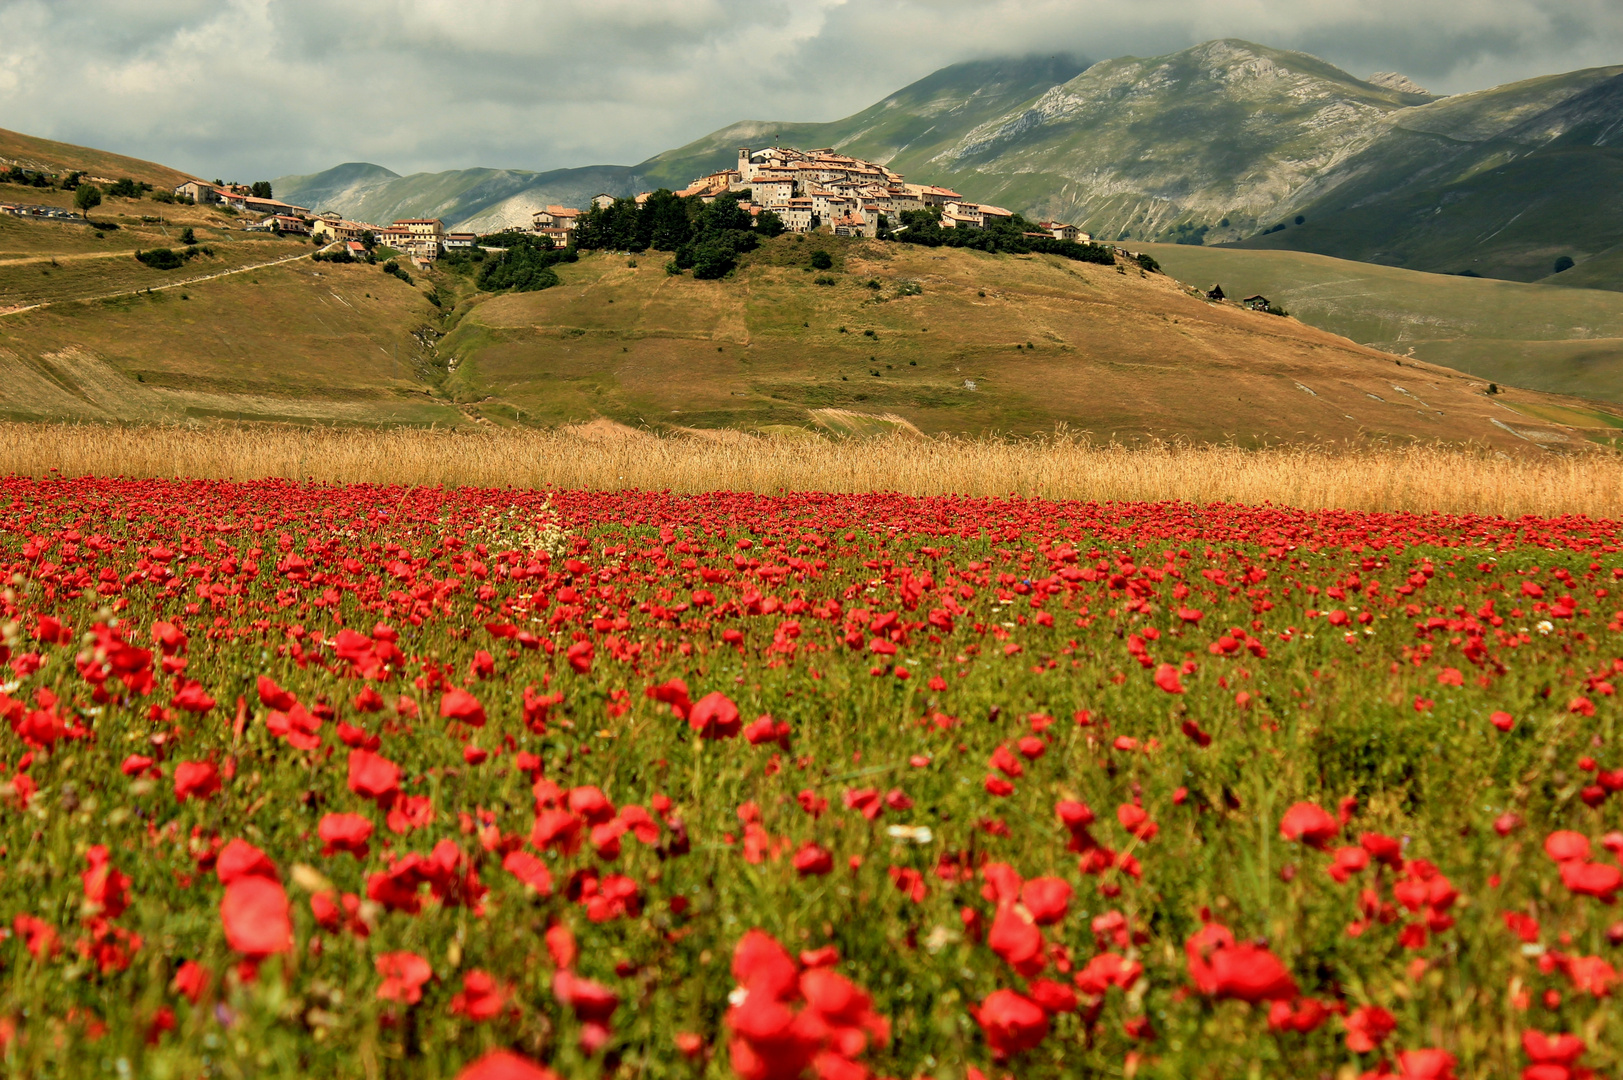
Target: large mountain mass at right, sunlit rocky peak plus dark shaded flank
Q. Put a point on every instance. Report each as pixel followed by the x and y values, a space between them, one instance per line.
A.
pixel 1234 142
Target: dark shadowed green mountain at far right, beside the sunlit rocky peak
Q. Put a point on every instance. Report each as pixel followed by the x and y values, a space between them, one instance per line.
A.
pixel 1500 184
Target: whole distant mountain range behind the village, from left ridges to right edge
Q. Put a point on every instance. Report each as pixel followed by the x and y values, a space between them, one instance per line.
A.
pixel 1223 144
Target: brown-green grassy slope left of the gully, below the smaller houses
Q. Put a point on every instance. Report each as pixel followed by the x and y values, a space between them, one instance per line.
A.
pixel 296 342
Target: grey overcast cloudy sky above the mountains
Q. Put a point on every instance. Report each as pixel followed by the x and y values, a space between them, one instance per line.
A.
pixel 262 89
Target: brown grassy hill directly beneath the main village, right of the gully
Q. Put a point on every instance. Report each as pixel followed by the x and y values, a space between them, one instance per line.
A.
pixel 1116 355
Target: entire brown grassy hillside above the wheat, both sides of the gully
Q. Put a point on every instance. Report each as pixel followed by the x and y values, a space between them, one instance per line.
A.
pixel 1116 353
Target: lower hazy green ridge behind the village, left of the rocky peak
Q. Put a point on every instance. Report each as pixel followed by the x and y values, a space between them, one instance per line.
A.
pixel 906 127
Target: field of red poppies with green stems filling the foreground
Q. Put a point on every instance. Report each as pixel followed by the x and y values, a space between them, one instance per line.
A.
pixel 374 782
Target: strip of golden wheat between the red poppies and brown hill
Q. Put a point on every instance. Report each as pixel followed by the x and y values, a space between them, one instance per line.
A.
pixel 606 457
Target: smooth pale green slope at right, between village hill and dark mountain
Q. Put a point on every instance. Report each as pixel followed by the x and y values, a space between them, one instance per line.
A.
pixel 1561 340
